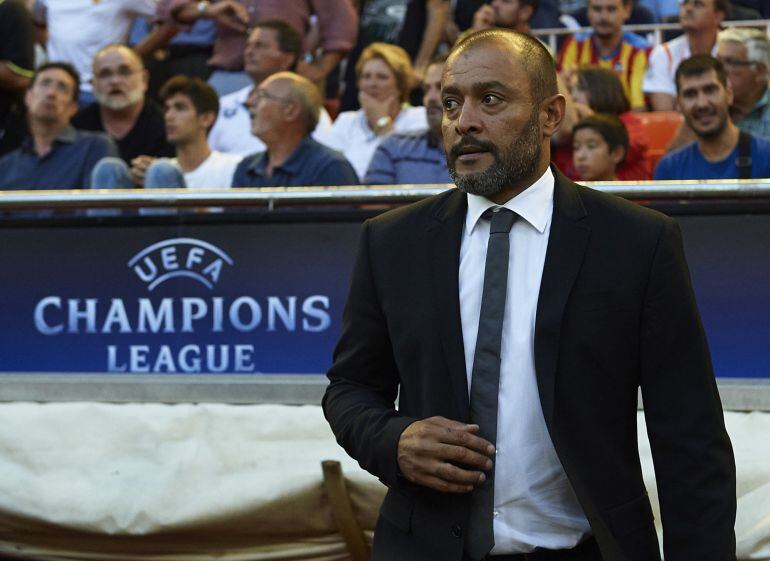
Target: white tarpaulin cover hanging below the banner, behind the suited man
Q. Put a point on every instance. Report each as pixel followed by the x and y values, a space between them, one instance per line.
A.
pixel 229 482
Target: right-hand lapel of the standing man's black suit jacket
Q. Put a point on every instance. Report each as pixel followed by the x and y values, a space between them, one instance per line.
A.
pixel 564 256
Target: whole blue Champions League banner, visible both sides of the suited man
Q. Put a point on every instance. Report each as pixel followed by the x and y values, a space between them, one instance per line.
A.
pixel 268 297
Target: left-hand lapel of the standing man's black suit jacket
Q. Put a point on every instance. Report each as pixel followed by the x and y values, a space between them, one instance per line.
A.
pixel 444 236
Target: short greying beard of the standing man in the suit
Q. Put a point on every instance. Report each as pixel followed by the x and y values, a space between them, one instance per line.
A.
pixel 516 163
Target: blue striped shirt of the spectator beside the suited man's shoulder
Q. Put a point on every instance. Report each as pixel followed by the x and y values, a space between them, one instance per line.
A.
pixel 410 157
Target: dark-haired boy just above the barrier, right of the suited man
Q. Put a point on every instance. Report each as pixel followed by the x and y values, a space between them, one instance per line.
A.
pixel 600 144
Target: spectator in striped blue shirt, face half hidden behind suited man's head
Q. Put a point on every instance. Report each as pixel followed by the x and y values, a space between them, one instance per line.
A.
pixel 414 157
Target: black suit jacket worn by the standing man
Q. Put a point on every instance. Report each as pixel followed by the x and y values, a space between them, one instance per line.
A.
pixel 616 312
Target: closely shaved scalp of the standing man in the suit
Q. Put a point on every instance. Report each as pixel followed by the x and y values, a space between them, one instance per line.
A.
pixel 531 53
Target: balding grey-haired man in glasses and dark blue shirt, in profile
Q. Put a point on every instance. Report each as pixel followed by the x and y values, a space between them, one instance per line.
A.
pixel 285 110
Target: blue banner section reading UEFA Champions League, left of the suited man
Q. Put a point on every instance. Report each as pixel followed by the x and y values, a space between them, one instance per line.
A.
pixel 254 298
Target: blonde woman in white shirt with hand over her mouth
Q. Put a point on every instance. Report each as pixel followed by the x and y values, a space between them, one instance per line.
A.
pixel 384 75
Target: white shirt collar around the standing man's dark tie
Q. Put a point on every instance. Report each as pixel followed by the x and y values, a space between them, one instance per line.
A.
pixel 534 204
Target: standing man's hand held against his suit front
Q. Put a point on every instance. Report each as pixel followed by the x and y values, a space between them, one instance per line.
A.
pixel 444 455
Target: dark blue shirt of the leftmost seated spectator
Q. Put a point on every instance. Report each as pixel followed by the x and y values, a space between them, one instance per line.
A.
pixel 67 165
